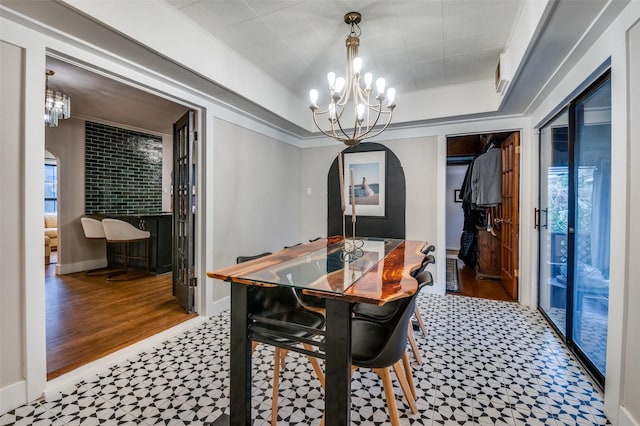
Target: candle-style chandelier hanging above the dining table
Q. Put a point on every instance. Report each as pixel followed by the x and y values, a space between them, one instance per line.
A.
pixel 351 112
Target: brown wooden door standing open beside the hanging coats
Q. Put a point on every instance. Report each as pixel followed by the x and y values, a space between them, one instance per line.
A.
pixel 509 214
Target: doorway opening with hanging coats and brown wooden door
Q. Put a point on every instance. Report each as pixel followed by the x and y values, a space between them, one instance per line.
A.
pixel 482 215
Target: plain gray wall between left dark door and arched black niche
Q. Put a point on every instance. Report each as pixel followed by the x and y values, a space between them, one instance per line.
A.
pixel 256 193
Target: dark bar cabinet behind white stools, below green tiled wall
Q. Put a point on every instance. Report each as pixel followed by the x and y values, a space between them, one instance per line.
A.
pixel 160 243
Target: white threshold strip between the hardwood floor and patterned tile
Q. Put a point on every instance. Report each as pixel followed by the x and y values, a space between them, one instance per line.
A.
pixel 91 370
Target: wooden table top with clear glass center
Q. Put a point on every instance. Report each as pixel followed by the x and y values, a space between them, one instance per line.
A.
pixel 380 274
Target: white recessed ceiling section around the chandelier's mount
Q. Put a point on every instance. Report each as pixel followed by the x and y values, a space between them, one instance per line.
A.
pixel 415 45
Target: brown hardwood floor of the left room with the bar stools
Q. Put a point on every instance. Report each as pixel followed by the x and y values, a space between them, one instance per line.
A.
pixel 89 317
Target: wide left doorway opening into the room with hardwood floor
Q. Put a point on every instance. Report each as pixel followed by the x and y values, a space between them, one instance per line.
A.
pixel 89 317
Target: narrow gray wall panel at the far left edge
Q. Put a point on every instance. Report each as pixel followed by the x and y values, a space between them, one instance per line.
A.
pixel 11 215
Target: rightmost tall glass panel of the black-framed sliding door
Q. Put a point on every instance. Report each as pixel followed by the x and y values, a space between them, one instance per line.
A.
pixel 592 224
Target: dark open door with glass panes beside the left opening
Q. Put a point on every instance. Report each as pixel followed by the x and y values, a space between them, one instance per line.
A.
pixel 183 210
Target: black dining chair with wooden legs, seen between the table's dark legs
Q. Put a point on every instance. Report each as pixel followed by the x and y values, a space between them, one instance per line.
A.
pixel 281 304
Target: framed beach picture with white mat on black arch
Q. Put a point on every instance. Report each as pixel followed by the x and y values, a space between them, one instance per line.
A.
pixel 365 173
